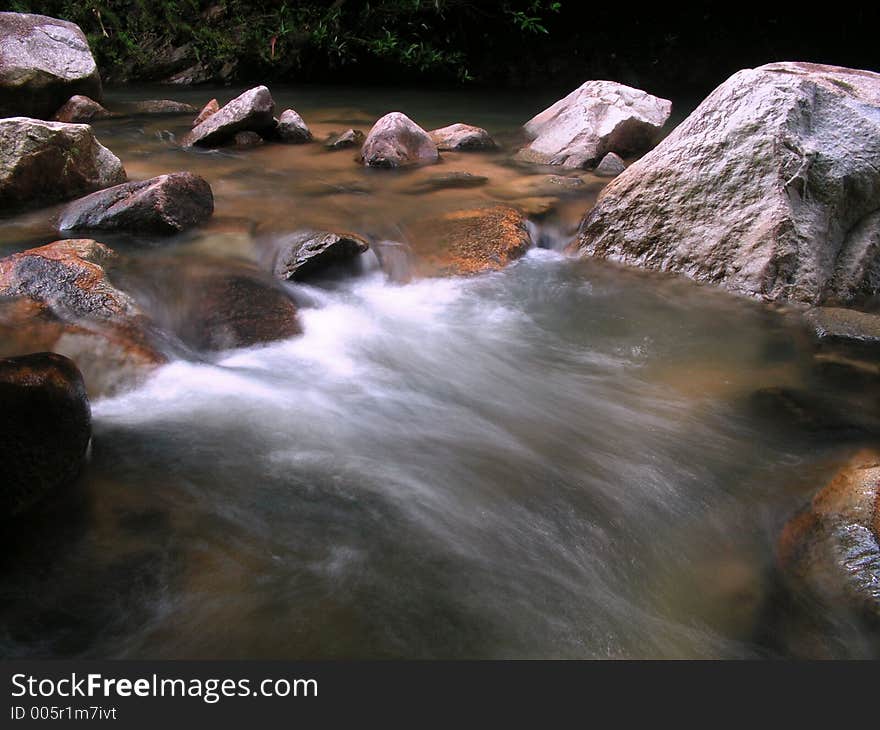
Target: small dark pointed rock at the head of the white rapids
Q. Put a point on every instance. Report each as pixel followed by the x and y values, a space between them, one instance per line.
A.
pixel 305 254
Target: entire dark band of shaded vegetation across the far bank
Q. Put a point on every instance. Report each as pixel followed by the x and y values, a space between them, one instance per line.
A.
pixel 513 43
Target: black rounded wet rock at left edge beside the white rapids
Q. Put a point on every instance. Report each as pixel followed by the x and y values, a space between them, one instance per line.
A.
pixel 45 428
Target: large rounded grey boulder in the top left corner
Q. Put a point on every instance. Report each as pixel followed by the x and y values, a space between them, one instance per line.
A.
pixel 43 62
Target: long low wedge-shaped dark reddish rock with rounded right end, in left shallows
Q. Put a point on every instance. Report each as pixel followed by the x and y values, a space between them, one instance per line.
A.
pixel 166 204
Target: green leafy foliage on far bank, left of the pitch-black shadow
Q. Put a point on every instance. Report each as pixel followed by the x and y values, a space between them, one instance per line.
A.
pixel 282 39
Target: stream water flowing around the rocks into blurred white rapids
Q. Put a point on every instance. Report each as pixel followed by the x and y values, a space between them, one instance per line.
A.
pixel 560 459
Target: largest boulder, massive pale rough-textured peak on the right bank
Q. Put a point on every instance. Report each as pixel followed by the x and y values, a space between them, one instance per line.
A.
pixel 770 188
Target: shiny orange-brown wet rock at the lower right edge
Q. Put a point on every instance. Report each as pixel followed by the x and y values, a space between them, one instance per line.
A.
pixel 829 551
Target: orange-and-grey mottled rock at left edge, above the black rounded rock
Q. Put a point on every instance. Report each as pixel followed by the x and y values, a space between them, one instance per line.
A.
pixel 69 277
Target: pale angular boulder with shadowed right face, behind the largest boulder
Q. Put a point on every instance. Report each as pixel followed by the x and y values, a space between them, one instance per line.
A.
pixel 596 118
